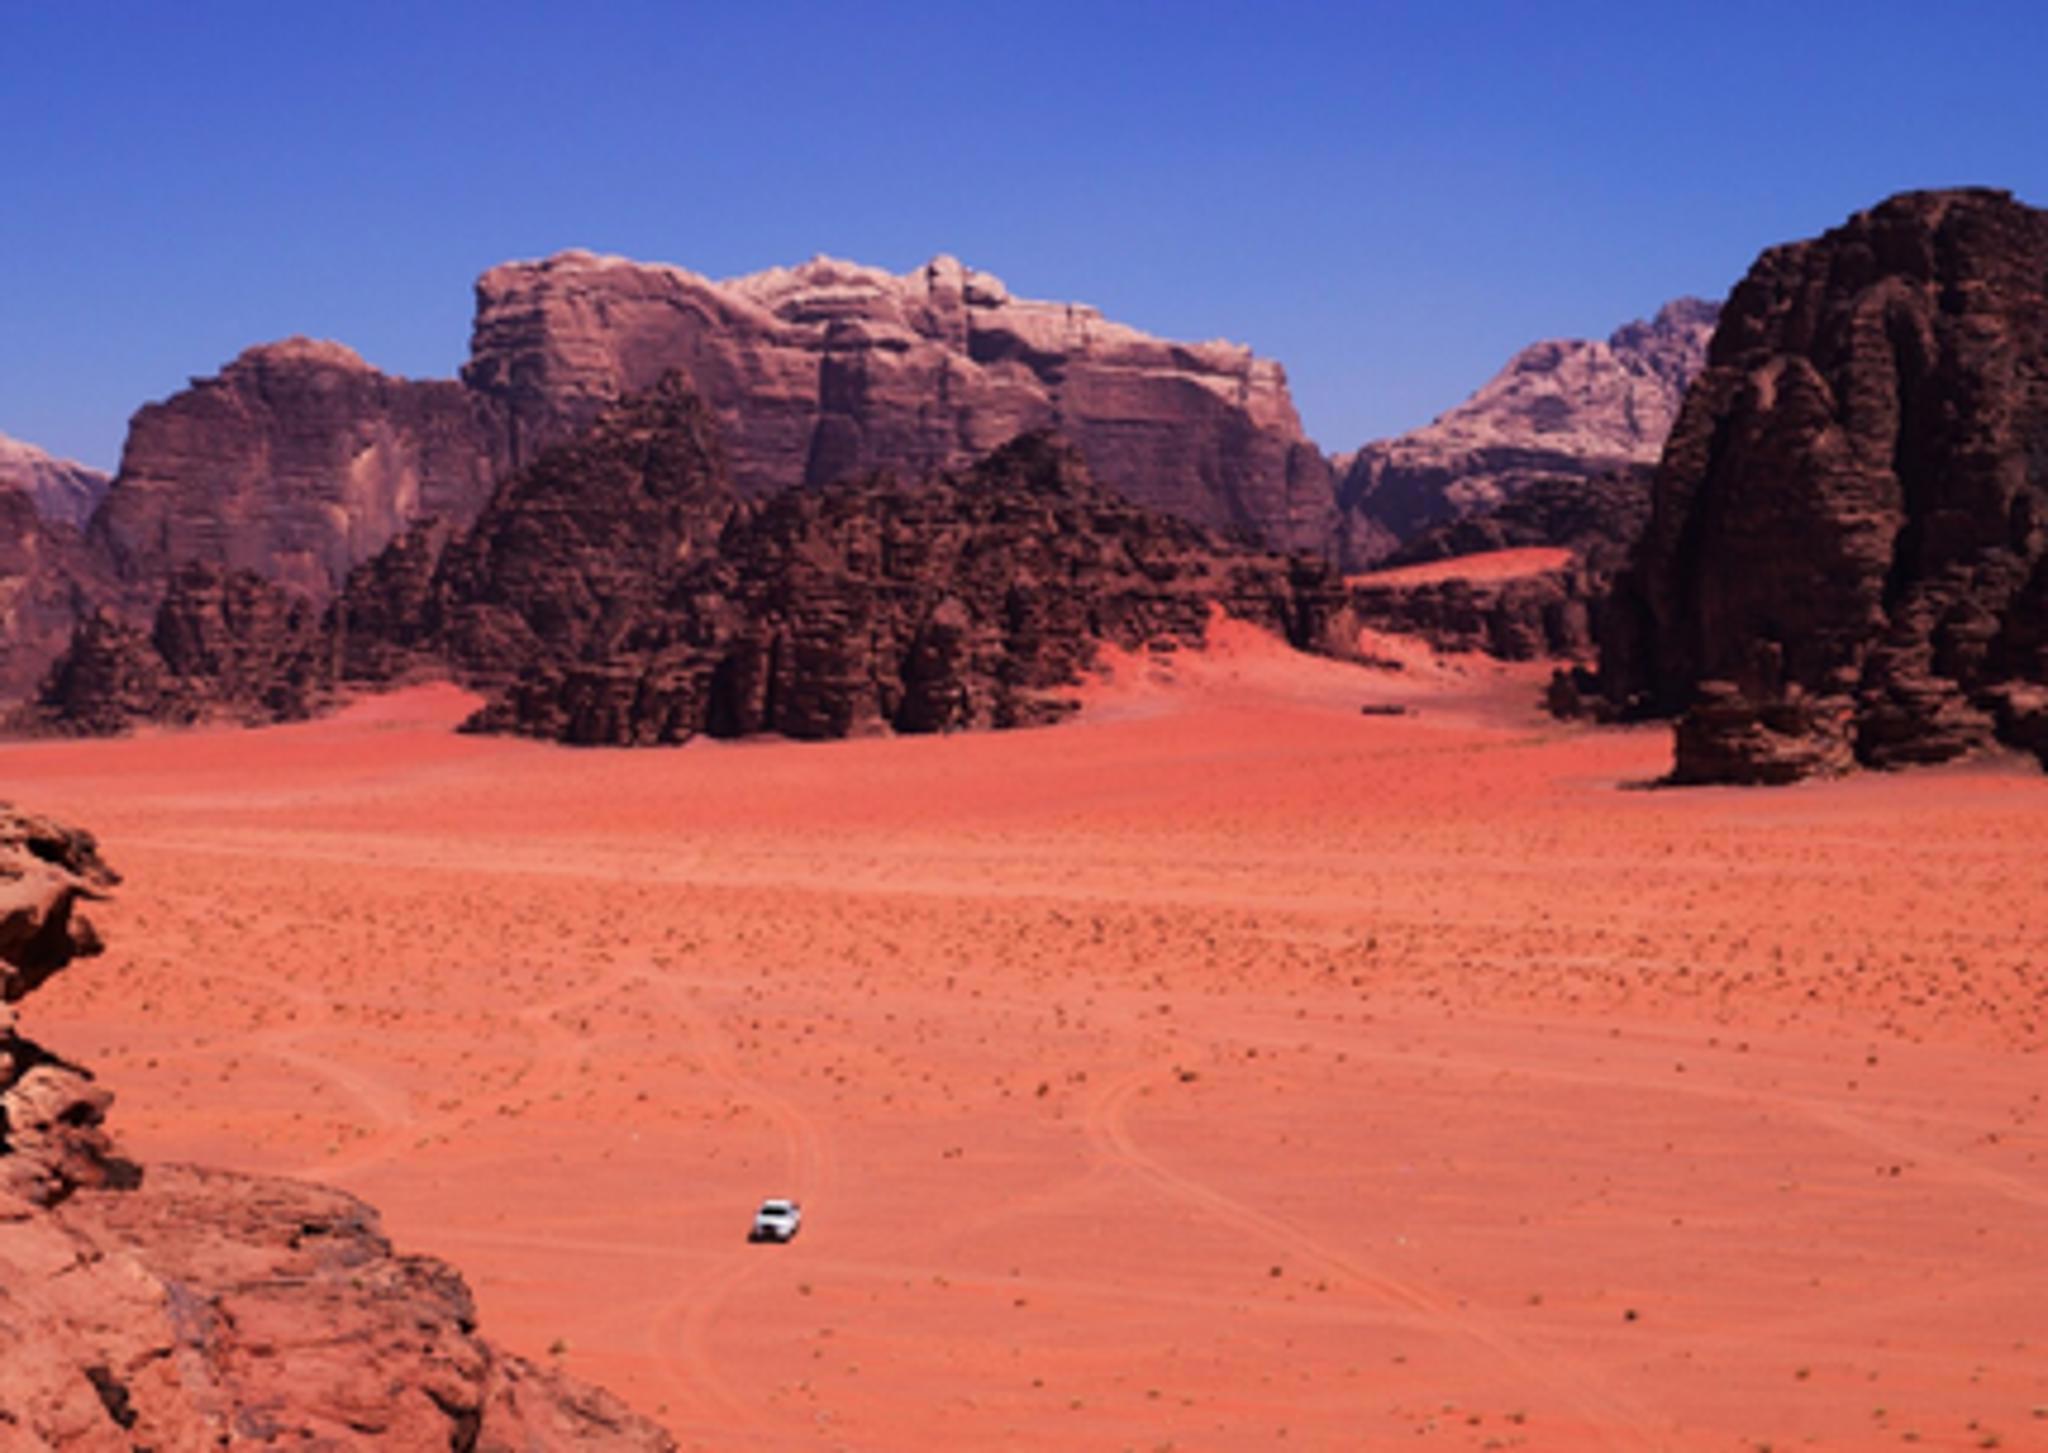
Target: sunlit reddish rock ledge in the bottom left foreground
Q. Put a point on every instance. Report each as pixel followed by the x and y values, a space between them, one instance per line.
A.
pixel 181 1309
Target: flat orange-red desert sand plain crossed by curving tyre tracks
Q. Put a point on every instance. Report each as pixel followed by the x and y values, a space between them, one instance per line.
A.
pixel 1220 1071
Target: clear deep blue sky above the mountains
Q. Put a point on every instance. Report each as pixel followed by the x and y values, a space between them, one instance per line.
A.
pixel 1385 198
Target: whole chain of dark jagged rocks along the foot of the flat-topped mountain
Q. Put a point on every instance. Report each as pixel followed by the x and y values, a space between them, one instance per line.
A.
pixel 620 589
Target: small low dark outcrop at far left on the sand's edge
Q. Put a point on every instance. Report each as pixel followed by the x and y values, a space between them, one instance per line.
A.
pixel 224 647
